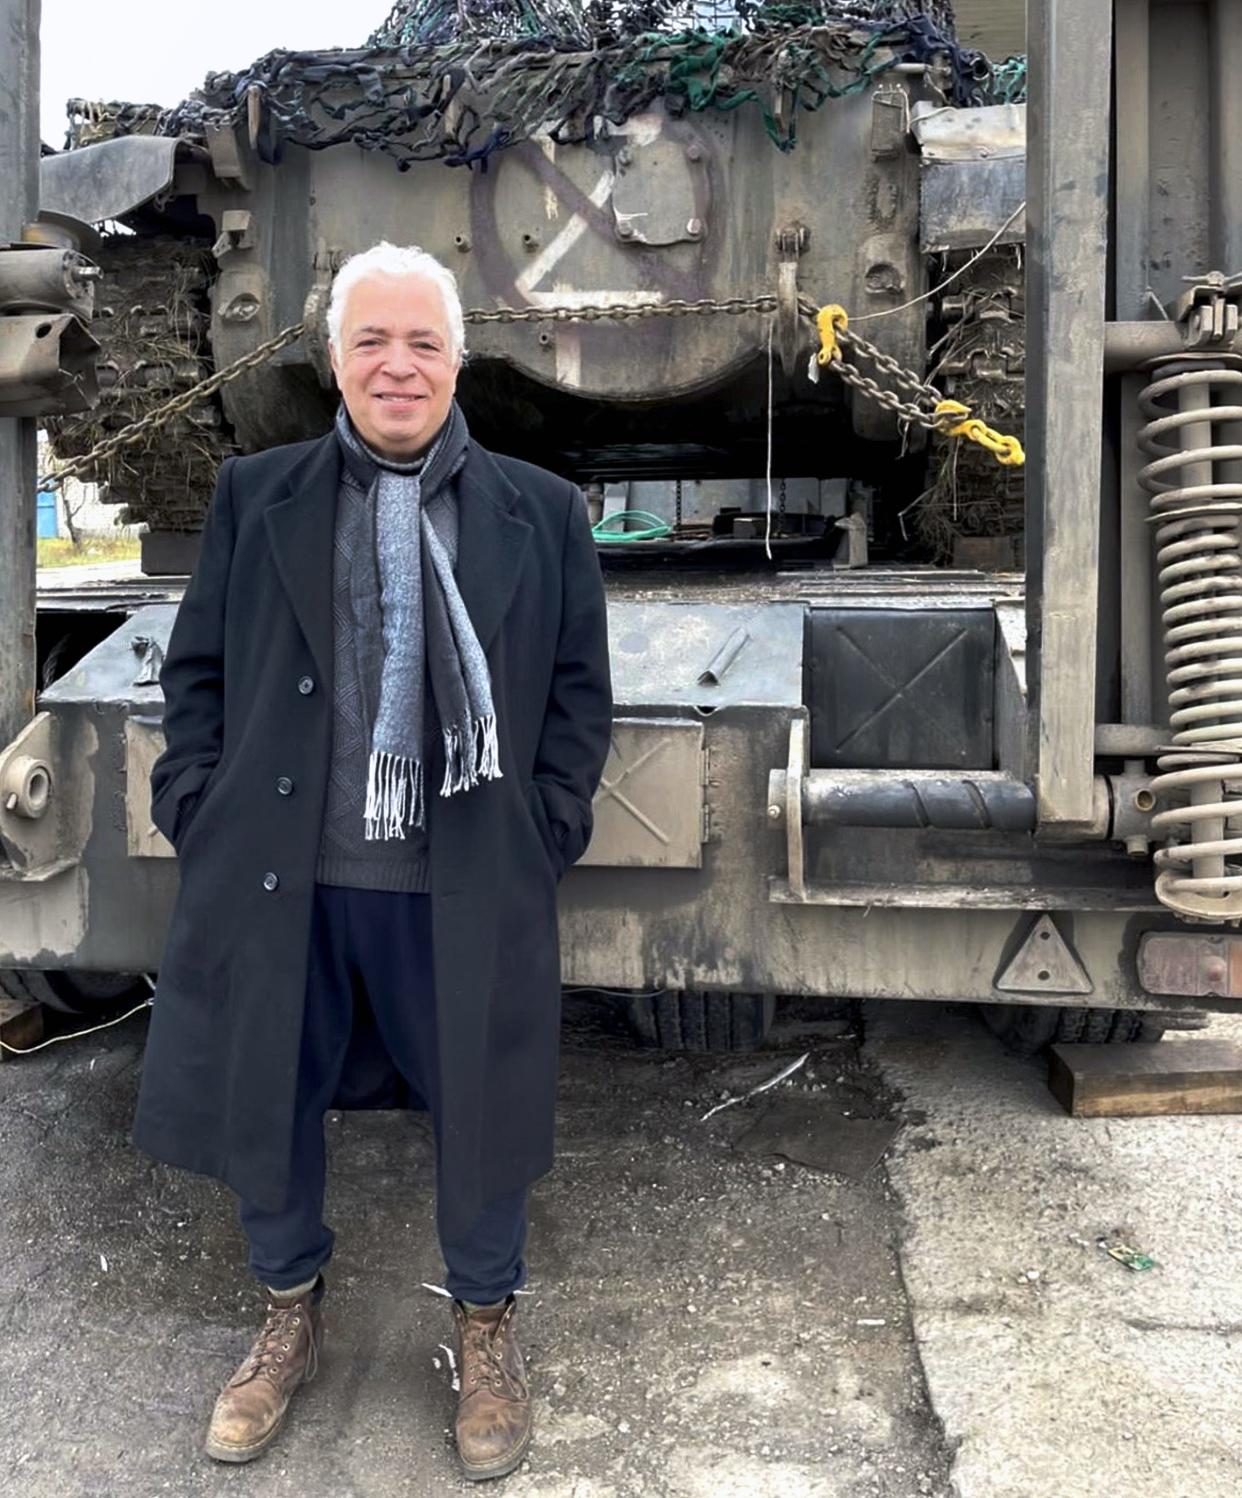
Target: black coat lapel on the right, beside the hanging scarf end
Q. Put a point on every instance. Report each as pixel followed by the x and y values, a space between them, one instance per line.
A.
pixel 491 543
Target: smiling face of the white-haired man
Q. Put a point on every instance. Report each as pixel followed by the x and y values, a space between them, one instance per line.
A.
pixel 396 365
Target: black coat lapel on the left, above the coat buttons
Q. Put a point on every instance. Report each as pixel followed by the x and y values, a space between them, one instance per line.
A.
pixel 302 533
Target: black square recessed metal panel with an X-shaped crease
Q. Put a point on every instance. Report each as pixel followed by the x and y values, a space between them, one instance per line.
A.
pixel 903 688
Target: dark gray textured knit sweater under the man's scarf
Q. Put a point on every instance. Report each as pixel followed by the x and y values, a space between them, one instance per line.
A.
pixel 345 856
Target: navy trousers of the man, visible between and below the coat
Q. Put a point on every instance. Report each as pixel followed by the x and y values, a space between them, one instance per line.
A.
pixel 371 962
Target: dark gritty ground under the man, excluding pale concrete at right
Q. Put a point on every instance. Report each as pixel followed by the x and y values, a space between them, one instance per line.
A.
pixel 703 1323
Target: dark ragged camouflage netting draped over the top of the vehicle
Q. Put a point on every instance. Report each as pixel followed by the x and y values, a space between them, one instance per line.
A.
pixel 458 82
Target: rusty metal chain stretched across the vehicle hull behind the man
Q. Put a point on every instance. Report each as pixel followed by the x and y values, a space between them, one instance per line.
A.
pixel 590 312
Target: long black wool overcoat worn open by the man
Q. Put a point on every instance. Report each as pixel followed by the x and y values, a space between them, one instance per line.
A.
pixel 240 793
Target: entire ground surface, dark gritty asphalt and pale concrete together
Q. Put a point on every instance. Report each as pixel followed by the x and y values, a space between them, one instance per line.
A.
pixel 703 1322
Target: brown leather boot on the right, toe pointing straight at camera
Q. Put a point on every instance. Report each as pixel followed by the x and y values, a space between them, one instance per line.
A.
pixel 494 1407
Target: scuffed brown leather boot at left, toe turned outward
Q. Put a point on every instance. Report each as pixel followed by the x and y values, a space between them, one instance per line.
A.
pixel 252 1404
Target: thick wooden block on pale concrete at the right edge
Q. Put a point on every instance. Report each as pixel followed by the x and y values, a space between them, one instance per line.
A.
pixel 1145 1081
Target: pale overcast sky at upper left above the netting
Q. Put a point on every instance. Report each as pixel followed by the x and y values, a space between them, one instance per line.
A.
pixel 158 52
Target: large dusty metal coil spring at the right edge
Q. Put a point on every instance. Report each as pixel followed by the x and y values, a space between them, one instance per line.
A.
pixel 1199 555
